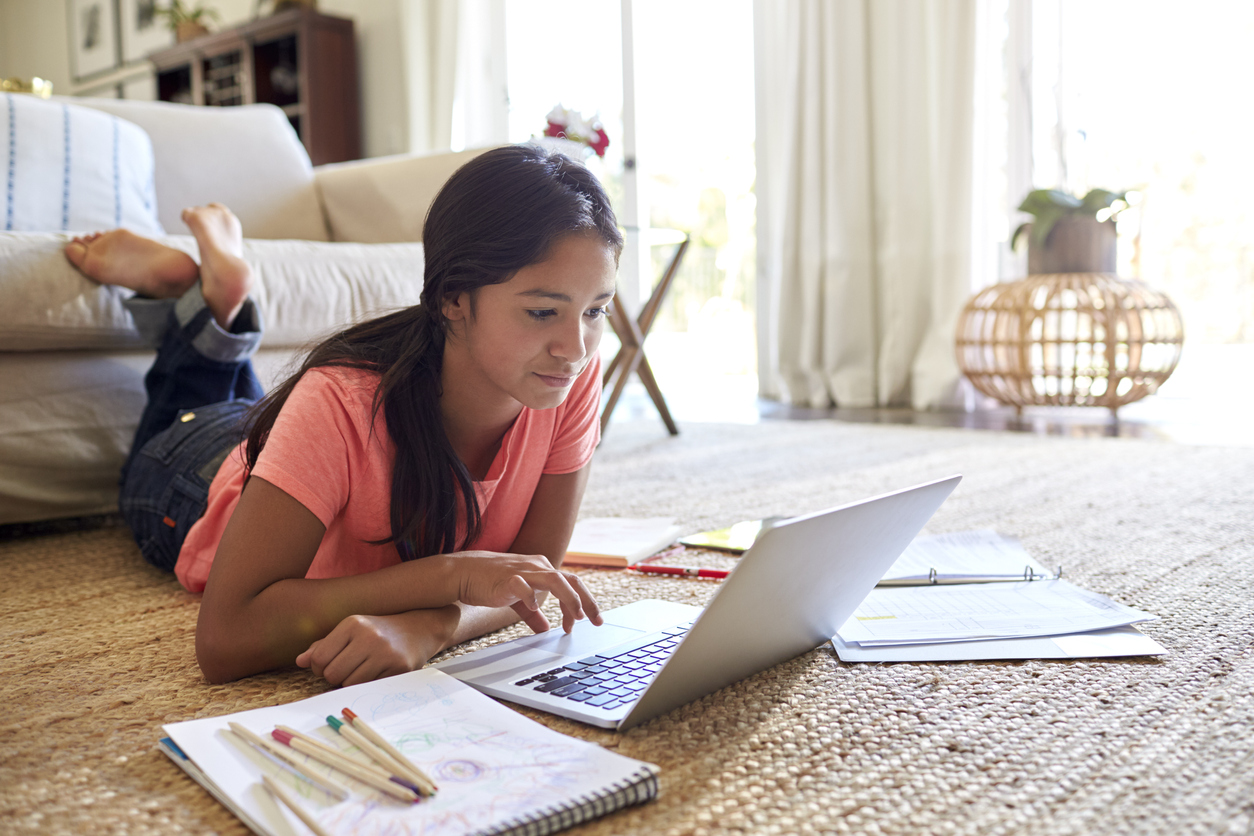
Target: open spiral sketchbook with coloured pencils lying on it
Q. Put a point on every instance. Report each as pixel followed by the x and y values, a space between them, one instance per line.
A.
pixel 497 771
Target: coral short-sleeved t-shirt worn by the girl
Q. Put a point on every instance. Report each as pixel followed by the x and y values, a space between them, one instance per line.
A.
pixel 323 453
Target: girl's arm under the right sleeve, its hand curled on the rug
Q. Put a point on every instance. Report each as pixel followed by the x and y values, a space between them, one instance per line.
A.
pixel 363 649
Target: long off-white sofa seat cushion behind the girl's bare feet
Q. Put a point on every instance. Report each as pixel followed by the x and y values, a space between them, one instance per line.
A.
pixel 305 290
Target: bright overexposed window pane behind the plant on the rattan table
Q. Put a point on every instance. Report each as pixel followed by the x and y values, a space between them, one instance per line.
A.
pixel 1154 97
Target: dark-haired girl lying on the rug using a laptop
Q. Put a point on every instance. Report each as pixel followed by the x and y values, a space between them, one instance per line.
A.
pixel 416 483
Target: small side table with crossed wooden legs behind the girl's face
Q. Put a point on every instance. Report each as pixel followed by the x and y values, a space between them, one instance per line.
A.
pixel 633 332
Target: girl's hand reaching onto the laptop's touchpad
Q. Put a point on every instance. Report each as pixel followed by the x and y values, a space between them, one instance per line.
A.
pixel 496 580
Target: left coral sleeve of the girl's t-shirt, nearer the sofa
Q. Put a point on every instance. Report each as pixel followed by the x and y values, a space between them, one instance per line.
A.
pixel 320 434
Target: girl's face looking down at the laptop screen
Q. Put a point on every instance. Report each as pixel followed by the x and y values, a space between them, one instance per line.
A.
pixel 529 339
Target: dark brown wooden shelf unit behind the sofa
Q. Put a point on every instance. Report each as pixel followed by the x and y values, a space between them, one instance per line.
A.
pixel 300 61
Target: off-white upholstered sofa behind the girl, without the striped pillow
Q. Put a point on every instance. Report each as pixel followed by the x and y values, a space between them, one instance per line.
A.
pixel 332 245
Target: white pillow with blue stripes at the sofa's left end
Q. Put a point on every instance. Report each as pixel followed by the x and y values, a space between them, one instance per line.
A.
pixel 73 170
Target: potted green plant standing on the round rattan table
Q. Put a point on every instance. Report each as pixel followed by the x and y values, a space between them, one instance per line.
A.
pixel 1070 235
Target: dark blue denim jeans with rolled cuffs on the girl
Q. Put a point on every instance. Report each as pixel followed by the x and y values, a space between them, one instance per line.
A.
pixel 199 390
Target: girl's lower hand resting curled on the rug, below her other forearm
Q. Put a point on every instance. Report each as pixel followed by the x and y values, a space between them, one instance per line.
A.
pixel 369 647
